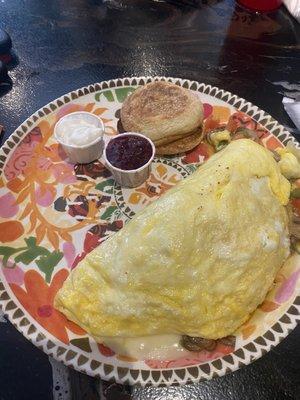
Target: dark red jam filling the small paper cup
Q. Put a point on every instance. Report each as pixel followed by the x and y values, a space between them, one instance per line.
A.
pixel 129 152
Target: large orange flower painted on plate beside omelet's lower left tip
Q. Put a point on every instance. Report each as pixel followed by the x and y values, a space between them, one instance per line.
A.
pixel 37 299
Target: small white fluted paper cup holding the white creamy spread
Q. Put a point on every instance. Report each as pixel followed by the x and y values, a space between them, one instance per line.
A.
pixel 82 154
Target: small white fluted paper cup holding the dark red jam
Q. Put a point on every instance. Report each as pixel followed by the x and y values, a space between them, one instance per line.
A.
pixel 132 177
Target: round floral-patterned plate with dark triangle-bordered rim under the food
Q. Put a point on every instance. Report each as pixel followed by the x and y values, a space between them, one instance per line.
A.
pixel 53 213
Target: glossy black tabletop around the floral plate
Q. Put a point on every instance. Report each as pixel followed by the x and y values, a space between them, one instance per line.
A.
pixel 61 45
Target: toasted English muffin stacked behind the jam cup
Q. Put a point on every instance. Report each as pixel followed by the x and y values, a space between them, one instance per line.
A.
pixel 169 115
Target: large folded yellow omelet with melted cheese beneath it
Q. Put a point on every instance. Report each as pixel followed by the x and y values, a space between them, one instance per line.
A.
pixel 197 261
